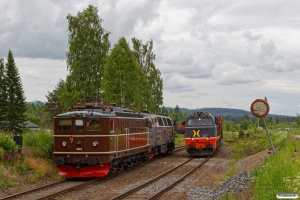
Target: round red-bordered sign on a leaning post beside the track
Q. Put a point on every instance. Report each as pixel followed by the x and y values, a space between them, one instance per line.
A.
pixel 260 108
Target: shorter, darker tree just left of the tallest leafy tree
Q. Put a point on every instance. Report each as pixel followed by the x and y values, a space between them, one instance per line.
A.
pixel 54 106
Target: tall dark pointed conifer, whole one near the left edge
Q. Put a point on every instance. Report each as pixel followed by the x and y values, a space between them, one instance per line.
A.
pixel 16 105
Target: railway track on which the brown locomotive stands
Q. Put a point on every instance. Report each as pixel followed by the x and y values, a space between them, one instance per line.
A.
pixel 67 185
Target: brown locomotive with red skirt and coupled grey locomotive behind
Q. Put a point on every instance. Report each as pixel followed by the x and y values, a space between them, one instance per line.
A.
pixel 92 139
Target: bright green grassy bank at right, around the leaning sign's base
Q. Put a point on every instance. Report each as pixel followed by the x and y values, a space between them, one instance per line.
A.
pixel 280 173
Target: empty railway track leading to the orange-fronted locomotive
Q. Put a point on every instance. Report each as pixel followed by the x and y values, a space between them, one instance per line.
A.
pixel 134 193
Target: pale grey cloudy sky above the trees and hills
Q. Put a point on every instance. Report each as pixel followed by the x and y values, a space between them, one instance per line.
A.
pixel 210 53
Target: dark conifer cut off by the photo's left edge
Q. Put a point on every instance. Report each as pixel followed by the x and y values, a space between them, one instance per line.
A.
pixel 3 97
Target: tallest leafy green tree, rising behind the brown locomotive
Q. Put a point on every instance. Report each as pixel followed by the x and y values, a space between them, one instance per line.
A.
pixel 88 49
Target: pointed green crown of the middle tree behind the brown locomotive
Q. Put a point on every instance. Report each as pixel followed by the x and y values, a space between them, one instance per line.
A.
pixel 122 77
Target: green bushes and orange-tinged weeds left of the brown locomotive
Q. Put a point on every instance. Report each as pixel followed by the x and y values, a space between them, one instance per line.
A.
pixel 35 161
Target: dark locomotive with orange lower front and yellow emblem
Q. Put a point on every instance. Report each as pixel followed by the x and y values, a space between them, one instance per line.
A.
pixel 203 133
